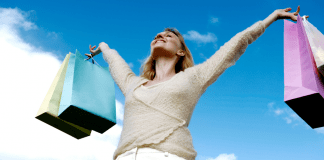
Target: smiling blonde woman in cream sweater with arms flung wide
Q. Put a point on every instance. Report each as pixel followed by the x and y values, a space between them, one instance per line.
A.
pixel 159 103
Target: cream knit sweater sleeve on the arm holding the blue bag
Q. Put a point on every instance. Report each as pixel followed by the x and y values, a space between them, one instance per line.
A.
pixel 119 69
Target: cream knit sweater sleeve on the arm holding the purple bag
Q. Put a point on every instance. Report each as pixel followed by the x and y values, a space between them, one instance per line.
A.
pixel 227 55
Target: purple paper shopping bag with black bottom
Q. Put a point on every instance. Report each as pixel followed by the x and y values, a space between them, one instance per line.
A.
pixel 304 90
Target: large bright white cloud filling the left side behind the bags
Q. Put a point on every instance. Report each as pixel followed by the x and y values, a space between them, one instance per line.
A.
pixel 27 73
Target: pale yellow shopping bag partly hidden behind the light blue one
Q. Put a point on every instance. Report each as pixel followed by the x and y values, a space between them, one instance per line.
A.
pixel 48 112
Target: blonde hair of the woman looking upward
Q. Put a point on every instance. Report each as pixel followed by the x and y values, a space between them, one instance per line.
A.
pixel 184 62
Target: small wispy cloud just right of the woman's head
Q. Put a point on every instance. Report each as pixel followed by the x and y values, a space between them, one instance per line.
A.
pixel 199 38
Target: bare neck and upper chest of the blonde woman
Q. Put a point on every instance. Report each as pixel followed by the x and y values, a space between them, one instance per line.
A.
pixel 164 68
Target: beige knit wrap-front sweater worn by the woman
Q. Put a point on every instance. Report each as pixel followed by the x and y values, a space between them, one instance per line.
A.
pixel 158 116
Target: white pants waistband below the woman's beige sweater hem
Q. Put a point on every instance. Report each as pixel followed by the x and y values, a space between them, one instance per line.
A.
pixel 147 154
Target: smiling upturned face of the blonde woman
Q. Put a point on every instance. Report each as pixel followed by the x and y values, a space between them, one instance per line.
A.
pixel 165 44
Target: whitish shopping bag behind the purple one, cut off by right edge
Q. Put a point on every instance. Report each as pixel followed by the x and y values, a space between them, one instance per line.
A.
pixel 316 41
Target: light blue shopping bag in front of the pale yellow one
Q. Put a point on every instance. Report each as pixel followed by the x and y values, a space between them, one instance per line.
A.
pixel 88 97
